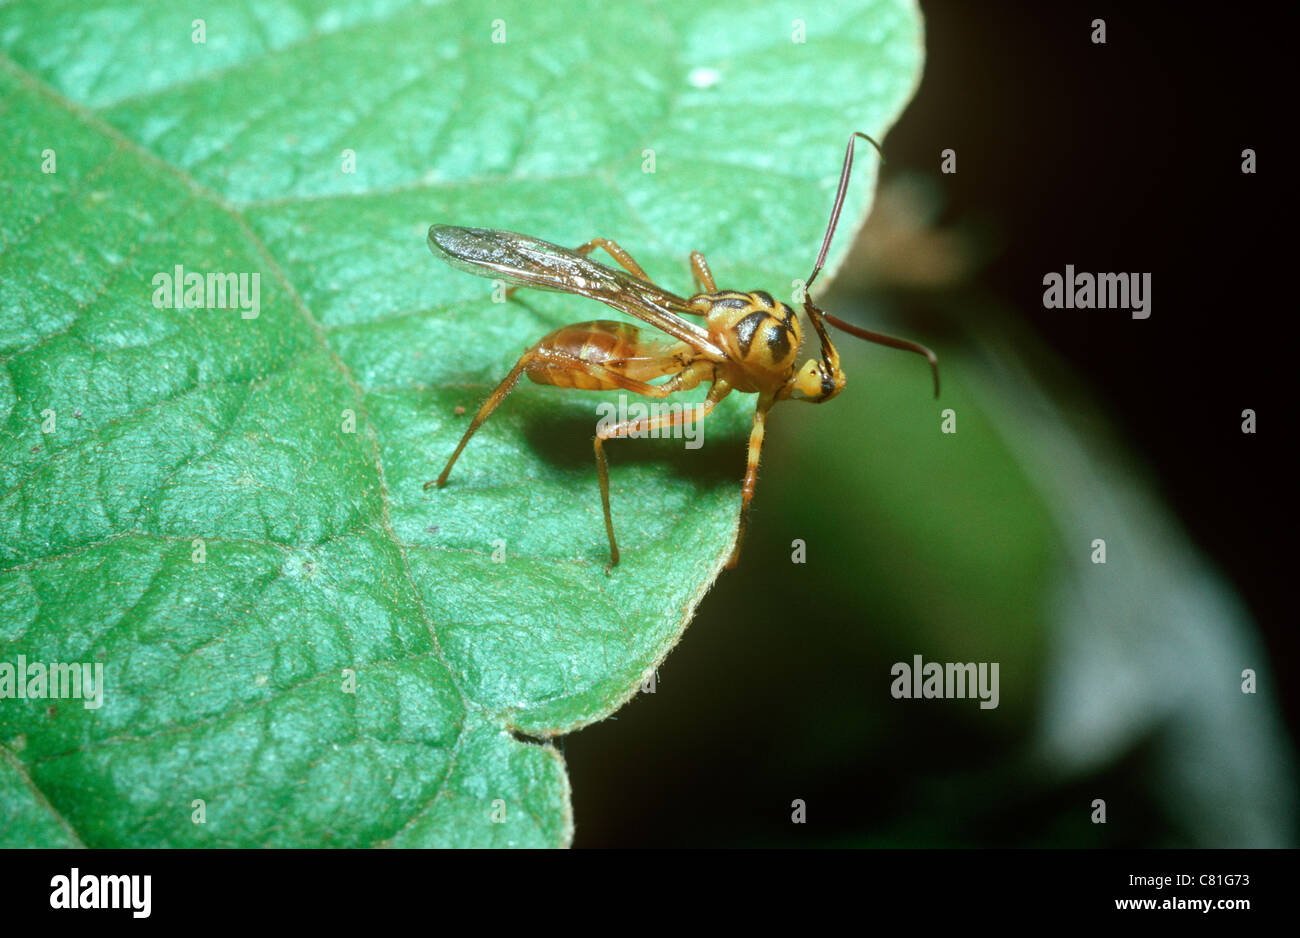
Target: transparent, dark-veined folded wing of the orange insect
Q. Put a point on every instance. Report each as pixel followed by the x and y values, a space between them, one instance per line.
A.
pixel 532 263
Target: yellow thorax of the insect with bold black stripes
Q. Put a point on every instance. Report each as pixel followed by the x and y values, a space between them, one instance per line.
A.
pixel 760 333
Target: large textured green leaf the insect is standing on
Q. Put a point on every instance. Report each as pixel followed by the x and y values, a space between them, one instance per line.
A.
pixel 288 453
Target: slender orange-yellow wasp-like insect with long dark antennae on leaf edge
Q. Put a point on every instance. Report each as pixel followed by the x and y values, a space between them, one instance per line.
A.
pixel 749 342
